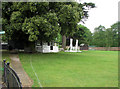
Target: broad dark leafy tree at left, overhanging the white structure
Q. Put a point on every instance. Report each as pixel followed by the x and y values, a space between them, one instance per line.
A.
pixel 26 22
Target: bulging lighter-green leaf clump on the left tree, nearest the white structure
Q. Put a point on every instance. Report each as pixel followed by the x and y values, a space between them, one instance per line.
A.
pixel 44 27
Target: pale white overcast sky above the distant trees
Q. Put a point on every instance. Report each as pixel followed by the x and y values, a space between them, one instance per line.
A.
pixel 105 13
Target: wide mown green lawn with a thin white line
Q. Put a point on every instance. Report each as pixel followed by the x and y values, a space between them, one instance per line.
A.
pixel 86 69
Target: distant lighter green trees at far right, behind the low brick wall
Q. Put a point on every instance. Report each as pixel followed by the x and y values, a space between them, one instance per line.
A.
pixel 106 37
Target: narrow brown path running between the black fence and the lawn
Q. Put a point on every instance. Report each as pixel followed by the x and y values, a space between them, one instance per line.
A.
pixel 17 66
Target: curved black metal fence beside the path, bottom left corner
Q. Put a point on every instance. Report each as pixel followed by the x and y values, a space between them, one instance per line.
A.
pixel 10 78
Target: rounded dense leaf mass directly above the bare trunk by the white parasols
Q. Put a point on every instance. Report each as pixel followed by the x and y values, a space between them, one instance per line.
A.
pixel 69 16
